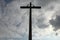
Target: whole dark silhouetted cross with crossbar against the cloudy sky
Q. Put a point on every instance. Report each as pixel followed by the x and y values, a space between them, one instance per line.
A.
pixel 30 17
